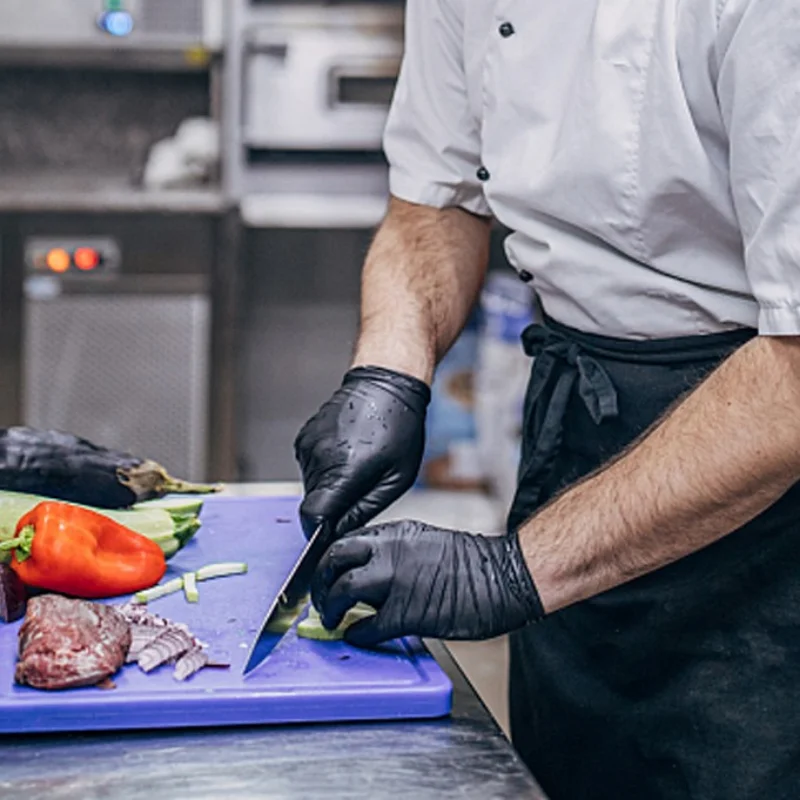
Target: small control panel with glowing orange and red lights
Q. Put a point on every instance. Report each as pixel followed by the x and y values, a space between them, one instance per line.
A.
pixel 87 258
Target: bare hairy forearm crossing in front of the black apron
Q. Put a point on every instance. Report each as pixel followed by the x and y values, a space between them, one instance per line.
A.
pixel 719 458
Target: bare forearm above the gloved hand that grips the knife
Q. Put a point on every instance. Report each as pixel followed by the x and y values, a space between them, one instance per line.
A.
pixel 421 278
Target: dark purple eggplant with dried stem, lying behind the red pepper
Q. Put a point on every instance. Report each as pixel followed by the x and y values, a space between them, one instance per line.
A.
pixel 65 467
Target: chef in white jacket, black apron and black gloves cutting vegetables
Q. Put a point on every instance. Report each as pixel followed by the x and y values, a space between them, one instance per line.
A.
pixel 646 156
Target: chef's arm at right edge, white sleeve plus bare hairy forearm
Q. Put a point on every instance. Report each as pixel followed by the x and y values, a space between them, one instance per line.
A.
pixel 732 447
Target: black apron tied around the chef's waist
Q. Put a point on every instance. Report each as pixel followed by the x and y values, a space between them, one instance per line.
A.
pixel 684 683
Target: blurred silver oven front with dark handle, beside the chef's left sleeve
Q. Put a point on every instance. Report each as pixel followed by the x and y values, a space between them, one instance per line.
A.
pixel 321 81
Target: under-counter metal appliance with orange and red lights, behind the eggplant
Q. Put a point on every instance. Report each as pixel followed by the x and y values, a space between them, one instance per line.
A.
pixel 109 332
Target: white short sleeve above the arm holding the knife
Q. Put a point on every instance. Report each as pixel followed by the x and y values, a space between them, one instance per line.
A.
pixel 432 138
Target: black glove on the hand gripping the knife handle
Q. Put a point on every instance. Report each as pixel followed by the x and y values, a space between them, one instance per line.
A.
pixel 363 448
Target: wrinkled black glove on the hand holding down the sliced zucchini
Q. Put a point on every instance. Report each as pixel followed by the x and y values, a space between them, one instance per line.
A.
pixel 426 581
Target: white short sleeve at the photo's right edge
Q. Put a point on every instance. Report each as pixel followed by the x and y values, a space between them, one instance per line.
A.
pixel 758 86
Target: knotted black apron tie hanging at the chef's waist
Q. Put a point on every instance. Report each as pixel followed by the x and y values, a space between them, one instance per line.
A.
pixel 565 361
